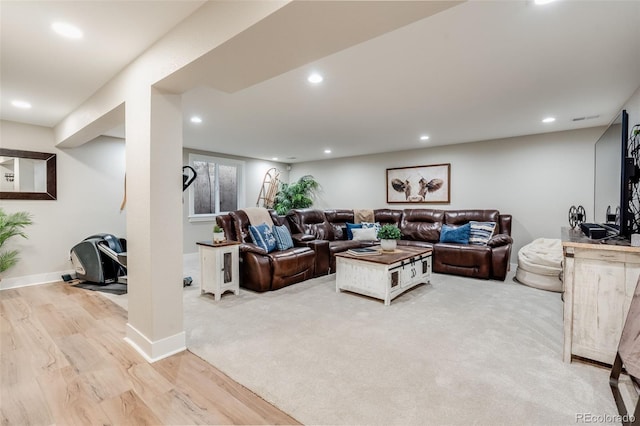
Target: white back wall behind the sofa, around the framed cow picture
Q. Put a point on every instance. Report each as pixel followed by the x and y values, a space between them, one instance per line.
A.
pixel 534 178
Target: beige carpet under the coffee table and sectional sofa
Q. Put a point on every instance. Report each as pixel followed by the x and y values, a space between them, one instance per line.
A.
pixel 456 352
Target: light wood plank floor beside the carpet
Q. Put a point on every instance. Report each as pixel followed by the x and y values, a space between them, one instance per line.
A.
pixel 63 361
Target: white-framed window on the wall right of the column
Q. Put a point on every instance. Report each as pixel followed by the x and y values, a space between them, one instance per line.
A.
pixel 218 187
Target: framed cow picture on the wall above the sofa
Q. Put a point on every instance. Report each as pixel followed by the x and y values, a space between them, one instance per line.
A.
pixel 419 184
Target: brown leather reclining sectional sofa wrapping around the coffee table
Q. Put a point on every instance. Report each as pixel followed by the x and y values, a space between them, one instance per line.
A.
pixel 318 235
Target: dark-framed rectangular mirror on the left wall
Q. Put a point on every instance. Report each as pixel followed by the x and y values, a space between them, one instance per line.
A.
pixel 27 175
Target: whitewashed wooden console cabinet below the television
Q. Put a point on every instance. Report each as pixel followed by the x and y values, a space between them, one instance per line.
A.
pixel 599 281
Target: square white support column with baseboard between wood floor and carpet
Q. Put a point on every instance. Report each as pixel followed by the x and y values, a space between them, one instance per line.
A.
pixel 154 223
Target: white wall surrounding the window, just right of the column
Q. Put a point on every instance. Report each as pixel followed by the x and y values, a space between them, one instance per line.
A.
pixel 254 175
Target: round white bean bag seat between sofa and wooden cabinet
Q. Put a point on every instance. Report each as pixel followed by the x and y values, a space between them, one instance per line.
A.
pixel 540 264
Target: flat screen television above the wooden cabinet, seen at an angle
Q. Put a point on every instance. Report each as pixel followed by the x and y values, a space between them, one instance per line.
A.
pixel 616 172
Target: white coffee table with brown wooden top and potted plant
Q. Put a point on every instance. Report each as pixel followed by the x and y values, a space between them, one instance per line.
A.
pixel 383 276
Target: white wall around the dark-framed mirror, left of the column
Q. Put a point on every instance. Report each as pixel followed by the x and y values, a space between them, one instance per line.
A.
pixel 90 183
